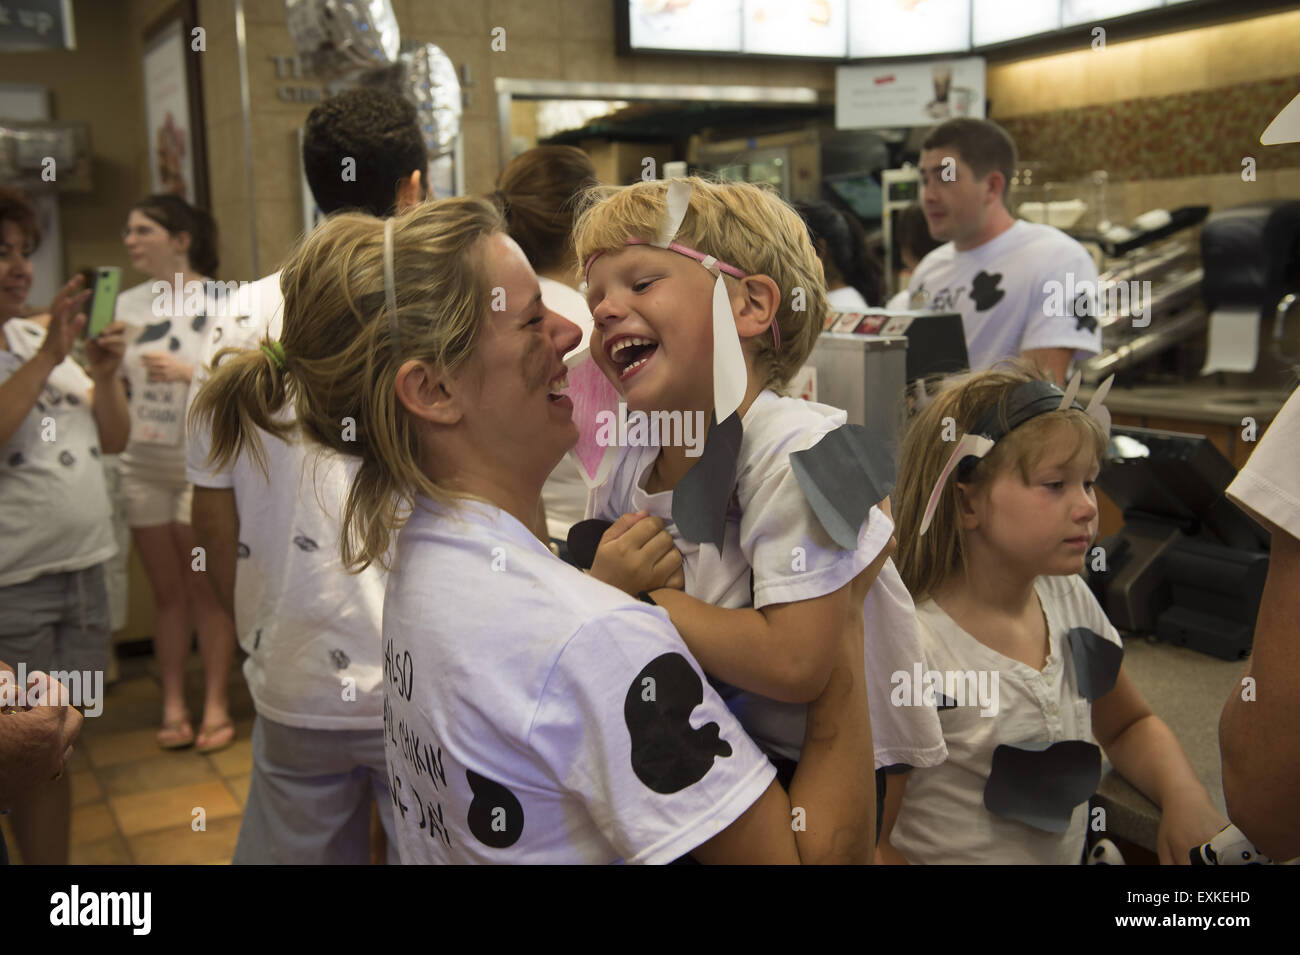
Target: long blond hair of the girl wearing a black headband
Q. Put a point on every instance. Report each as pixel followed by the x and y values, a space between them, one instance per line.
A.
pixel 926 562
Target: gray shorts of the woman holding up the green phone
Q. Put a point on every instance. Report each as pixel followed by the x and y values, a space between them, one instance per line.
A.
pixel 58 622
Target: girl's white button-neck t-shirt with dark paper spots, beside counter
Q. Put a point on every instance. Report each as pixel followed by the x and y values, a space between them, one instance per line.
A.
pixel 944 819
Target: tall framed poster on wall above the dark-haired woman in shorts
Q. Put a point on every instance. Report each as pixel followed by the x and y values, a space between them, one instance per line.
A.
pixel 174 108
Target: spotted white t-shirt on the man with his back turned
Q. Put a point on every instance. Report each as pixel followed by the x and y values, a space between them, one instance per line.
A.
pixel 311 630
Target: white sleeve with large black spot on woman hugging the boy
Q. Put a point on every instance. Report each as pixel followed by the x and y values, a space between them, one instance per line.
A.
pixel 629 724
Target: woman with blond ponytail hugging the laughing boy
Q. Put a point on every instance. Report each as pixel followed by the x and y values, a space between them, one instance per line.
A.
pixel 532 714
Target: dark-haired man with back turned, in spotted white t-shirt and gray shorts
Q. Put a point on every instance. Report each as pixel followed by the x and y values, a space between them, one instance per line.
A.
pixel 310 630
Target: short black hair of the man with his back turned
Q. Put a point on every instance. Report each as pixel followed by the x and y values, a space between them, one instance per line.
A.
pixel 375 128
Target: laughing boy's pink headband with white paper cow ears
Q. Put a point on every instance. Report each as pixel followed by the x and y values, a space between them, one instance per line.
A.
pixel 730 375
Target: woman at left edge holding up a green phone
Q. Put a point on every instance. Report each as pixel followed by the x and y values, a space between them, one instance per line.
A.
pixel 57 422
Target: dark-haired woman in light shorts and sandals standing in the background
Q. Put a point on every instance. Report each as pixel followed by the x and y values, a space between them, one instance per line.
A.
pixel 174 315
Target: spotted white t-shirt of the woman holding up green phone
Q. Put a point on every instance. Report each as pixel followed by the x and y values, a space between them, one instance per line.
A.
pixel 55 515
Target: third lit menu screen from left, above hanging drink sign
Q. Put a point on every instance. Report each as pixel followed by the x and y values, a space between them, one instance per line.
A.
pixel 905 28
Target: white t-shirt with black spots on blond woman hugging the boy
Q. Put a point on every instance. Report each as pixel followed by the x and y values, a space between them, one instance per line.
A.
pixel 536 715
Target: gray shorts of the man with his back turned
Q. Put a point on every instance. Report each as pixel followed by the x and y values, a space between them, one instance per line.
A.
pixel 310 797
